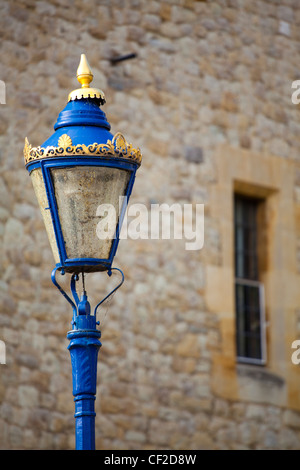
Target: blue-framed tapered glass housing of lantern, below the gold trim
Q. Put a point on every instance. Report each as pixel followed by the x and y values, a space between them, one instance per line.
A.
pixel 83 202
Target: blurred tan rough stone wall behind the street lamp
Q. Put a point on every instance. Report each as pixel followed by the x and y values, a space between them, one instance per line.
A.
pixel 207 73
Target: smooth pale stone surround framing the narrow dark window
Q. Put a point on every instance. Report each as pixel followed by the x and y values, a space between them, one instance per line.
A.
pixel 272 178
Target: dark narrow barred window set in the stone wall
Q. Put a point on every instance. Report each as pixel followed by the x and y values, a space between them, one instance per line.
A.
pixel 249 292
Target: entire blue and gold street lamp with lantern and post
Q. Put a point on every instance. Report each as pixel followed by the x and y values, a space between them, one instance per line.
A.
pixel 79 174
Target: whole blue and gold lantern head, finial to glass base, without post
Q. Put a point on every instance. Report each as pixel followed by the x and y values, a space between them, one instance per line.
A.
pixel 83 177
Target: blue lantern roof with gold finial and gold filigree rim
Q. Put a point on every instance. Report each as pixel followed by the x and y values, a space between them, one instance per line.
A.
pixel 82 127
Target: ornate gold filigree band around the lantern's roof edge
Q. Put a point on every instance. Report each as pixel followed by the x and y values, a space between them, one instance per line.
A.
pixel 117 147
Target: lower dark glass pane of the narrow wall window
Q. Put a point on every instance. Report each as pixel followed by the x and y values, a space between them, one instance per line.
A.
pixel 248 321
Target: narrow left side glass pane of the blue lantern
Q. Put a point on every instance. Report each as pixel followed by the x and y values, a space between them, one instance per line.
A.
pixel 40 192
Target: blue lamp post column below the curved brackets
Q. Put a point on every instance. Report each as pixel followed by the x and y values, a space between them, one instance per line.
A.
pixel 84 346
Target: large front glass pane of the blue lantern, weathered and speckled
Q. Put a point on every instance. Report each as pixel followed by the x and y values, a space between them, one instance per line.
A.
pixel 81 192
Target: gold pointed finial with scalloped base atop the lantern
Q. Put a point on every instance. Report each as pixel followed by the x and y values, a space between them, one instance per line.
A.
pixel 85 76
